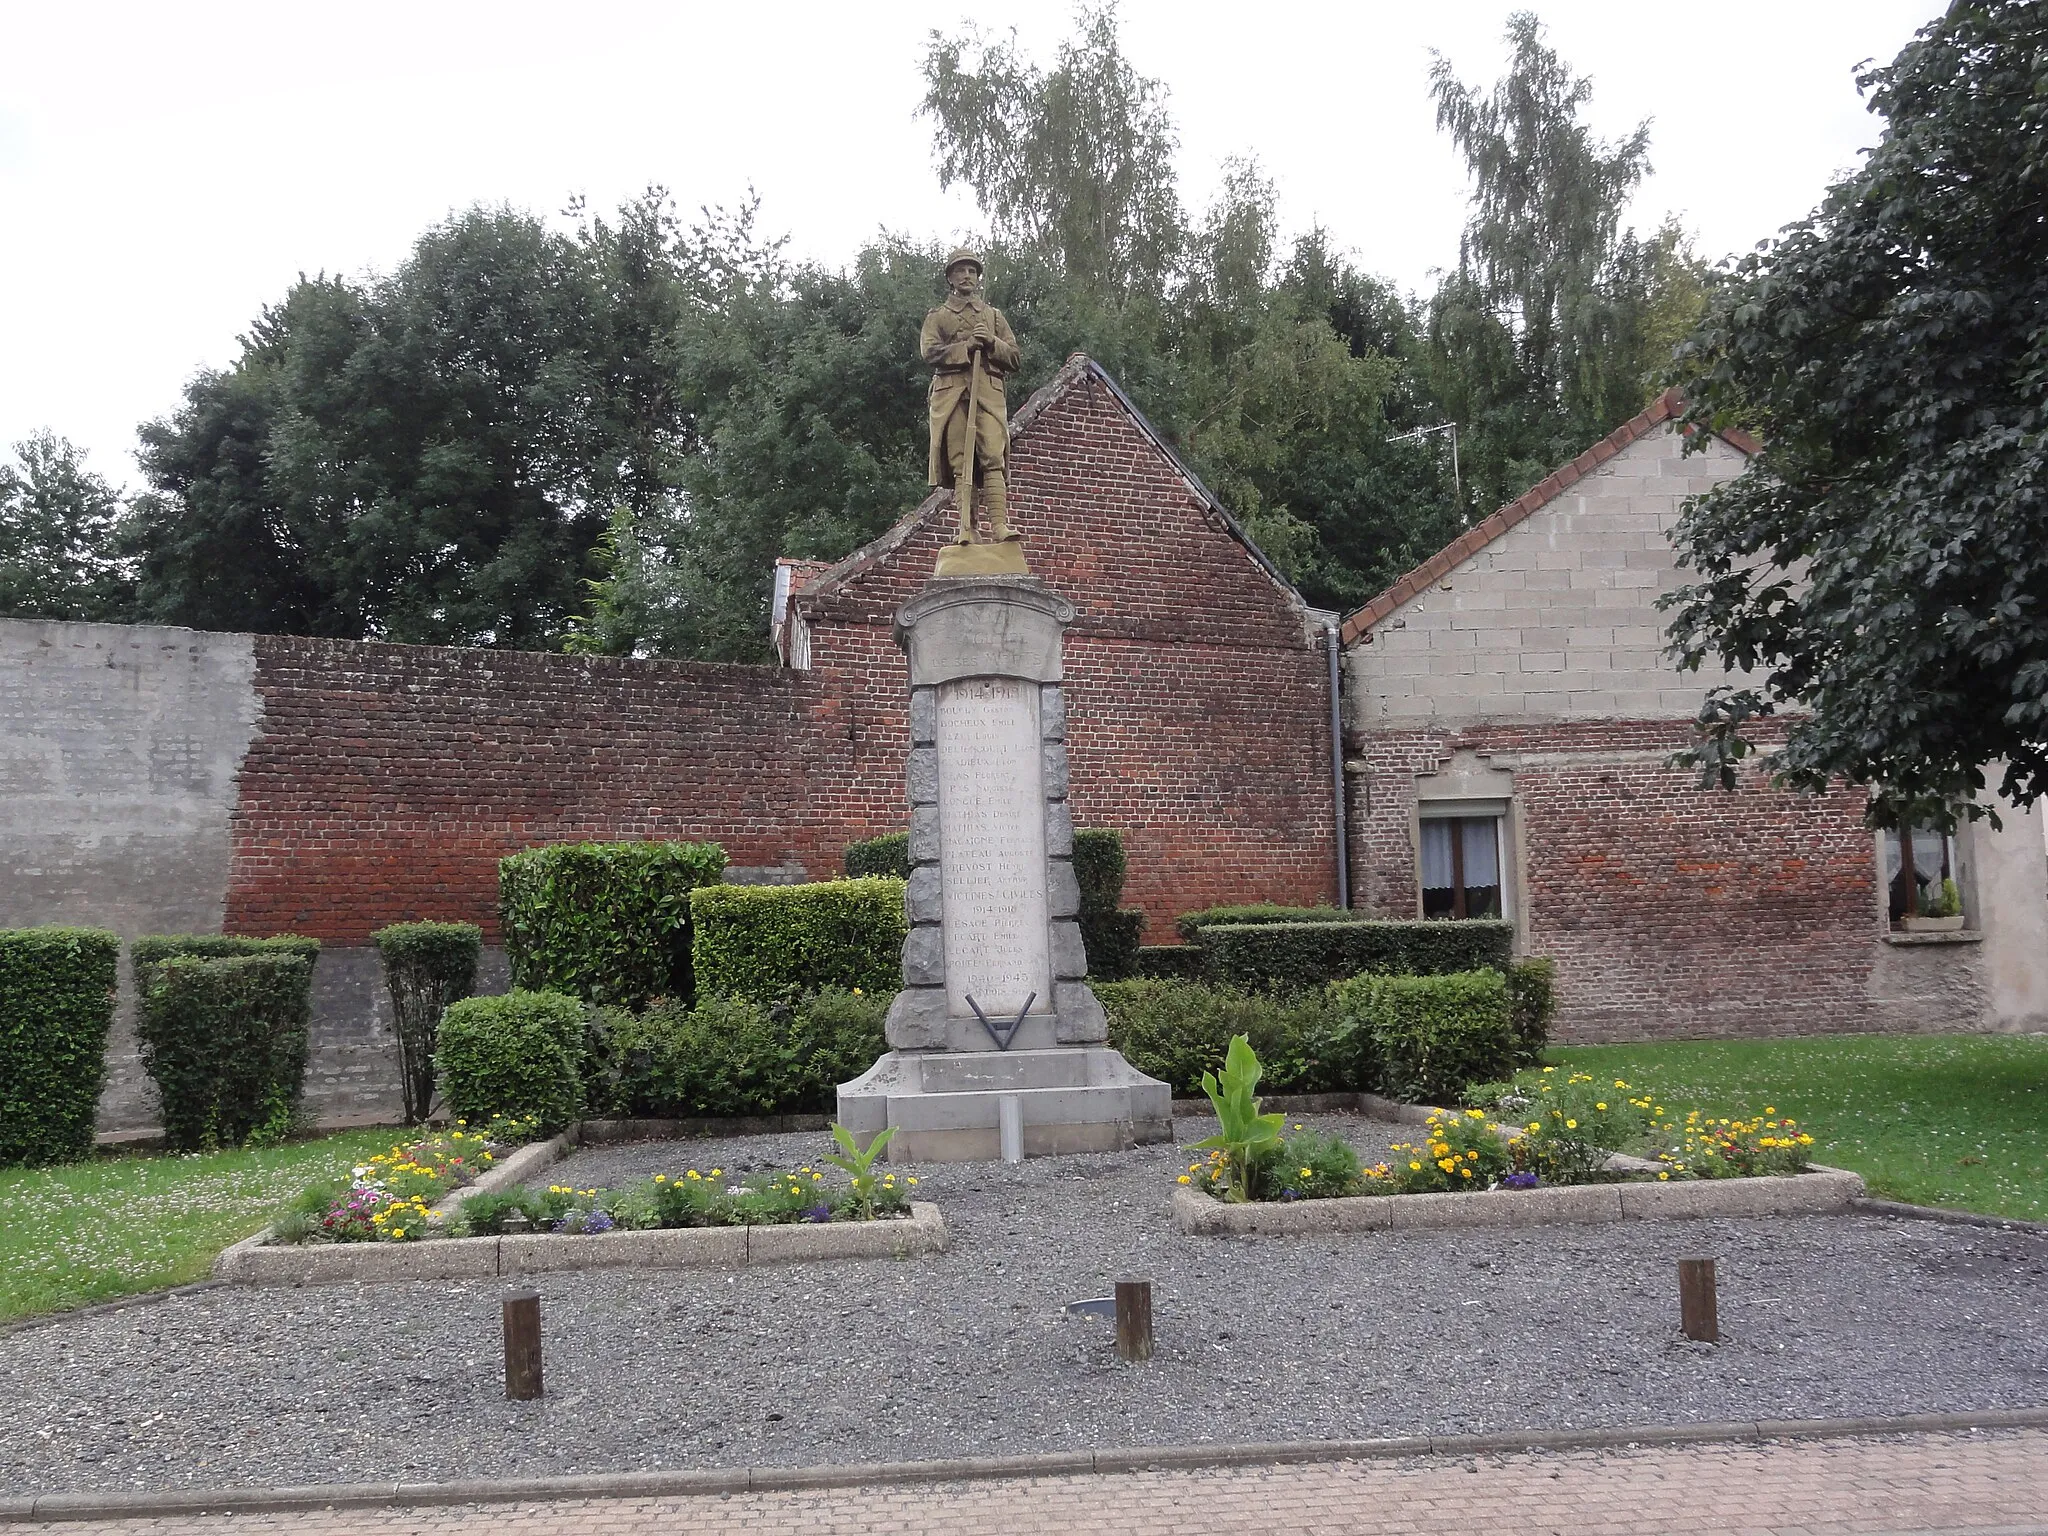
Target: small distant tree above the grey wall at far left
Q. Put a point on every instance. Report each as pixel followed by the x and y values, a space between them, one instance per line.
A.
pixel 58 538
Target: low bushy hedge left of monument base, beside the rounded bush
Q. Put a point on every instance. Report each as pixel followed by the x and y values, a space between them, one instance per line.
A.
pixel 732 1056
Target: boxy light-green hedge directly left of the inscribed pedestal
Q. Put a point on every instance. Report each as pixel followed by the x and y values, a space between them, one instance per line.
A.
pixel 779 941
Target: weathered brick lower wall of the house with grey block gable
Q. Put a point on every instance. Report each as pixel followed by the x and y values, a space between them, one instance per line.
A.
pixel 1672 912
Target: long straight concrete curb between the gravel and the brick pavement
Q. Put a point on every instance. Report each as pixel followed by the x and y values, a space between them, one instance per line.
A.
pixel 978 1469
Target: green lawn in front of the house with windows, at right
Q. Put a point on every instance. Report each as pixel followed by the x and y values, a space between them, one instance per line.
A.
pixel 1936 1119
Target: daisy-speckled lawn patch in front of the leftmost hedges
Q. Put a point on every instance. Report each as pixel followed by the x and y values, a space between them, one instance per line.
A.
pixel 118 1226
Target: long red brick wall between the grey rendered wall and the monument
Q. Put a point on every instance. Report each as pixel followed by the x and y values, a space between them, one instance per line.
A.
pixel 388 781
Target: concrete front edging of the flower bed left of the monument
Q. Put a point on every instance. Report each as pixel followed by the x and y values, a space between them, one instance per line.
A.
pixel 675 1248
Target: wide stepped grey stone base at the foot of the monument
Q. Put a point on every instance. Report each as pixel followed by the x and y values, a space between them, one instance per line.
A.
pixel 947 1105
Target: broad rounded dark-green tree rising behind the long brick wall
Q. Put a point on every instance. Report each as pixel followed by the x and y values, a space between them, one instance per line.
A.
pixel 431 456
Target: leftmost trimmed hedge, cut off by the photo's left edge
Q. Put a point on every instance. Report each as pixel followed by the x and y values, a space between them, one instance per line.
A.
pixel 56 1007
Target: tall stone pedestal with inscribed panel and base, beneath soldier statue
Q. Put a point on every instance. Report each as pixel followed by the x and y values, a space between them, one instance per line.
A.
pixel 994 1005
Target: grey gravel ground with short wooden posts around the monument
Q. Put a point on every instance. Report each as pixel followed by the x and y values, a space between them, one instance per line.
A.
pixel 968 1353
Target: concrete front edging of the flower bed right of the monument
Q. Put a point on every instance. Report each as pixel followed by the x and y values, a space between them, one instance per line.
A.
pixel 1824 1191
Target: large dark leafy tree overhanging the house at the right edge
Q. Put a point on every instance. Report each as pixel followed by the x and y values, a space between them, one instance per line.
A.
pixel 1883 568
